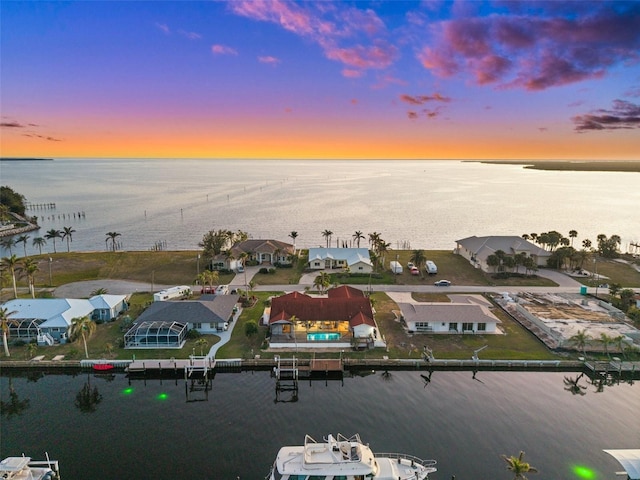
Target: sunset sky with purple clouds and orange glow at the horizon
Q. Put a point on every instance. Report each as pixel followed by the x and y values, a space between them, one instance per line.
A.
pixel 321 79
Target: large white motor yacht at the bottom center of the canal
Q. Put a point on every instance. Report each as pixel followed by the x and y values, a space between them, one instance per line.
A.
pixel 347 459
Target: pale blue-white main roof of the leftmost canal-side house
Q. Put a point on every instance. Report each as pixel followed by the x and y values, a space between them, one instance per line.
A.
pixel 56 312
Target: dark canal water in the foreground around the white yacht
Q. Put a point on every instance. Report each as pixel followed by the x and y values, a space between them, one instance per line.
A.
pixel 462 422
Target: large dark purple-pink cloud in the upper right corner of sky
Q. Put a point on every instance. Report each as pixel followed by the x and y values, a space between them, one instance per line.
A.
pixel 535 52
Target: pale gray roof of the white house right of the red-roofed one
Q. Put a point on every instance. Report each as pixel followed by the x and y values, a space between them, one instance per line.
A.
pixel 447 312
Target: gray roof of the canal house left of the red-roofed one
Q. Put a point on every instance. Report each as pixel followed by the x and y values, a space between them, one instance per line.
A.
pixel 191 311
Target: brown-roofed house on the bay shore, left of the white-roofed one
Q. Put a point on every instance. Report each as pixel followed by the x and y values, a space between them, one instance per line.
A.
pixel 268 252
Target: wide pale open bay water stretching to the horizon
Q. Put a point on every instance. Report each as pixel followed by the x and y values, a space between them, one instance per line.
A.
pixel 413 204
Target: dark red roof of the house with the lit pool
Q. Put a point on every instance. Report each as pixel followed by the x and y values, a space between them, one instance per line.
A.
pixel 343 305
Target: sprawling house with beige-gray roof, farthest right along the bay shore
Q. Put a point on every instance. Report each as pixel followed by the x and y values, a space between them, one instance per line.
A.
pixel 477 249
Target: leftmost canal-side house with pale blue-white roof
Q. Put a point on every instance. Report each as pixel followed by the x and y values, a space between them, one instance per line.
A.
pixel 48 320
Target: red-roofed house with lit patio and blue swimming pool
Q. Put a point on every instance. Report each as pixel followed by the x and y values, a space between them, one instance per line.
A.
pixel 345 313
